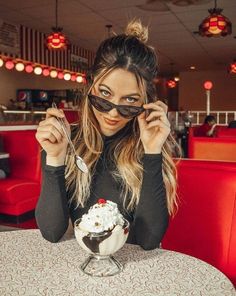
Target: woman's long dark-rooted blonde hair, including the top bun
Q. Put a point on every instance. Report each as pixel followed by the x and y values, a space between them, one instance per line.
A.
pixel 127 51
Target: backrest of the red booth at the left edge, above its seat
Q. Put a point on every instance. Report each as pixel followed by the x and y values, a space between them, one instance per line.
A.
pixel 24 153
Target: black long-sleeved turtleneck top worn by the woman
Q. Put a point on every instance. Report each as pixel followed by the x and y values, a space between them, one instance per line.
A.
pixel 148 222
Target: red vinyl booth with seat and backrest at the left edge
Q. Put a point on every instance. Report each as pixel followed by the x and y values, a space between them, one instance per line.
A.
pixel 19 192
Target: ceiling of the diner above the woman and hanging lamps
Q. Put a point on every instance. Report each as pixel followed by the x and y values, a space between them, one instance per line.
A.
pixel 171 31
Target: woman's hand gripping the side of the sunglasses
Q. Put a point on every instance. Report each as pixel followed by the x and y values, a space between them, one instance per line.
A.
pixel 155 128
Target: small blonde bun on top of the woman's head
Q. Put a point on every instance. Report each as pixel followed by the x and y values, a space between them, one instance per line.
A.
pixel 136 29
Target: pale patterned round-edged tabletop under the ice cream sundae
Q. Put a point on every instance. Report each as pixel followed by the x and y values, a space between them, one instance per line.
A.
pixel 32 266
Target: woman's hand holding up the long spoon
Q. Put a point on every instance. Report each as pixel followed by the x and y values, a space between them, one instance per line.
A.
pixel 51 137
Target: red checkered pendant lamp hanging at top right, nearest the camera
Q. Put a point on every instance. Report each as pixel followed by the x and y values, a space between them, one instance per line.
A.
pixel 215 24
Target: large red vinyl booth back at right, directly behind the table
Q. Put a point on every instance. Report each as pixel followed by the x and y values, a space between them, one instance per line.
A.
pixel 205 223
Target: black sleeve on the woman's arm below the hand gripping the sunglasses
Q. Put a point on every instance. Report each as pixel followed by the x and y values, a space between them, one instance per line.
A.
pixel 151 215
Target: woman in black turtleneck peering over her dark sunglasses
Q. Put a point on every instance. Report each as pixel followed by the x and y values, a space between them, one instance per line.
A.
pixel 123 138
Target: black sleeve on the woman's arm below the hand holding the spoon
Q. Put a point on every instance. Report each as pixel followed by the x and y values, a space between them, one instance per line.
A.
pixel 52 213
